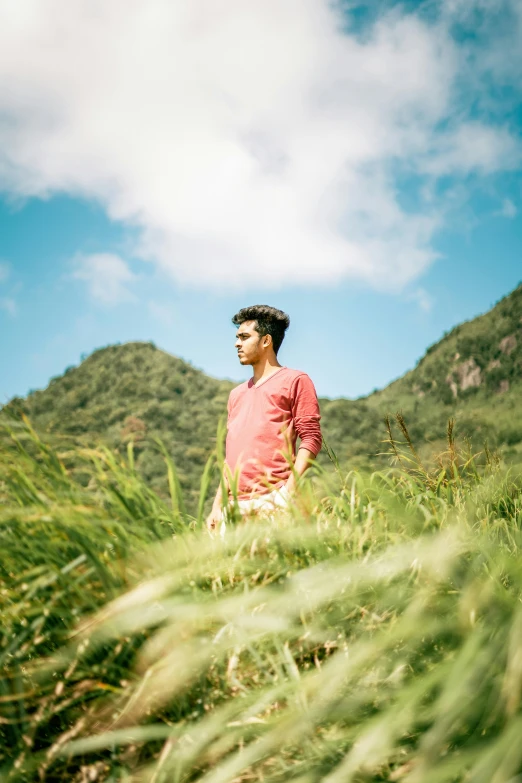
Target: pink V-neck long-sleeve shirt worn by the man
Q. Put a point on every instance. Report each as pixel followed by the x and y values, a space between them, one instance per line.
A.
pixel 264 421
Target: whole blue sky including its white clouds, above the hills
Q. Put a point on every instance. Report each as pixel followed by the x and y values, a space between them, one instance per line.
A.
pixel 373 191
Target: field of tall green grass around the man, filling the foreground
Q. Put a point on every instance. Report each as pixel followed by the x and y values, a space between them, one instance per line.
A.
pixel 373 633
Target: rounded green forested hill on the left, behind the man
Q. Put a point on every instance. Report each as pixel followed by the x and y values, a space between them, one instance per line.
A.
pixel 135 393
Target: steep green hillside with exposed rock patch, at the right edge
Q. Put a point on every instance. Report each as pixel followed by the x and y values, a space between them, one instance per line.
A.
pixel 473 374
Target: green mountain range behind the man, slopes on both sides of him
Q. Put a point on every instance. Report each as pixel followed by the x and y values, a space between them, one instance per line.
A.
pixel 136 392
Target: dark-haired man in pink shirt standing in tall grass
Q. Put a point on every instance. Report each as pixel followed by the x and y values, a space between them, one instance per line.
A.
pixel 266 415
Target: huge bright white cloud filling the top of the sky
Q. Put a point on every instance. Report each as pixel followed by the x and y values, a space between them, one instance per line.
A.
pixel 254 143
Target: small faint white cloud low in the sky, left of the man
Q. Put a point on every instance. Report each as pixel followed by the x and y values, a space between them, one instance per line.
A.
pixel 107 277
